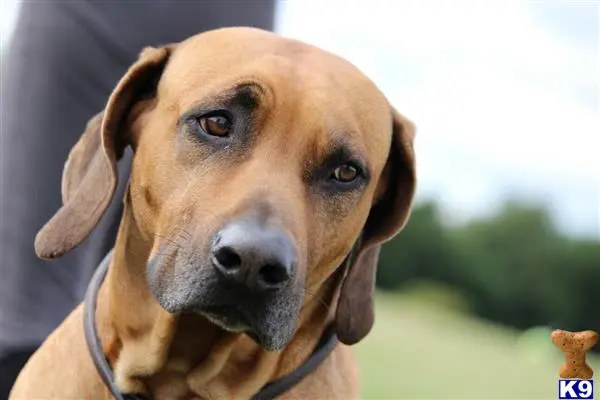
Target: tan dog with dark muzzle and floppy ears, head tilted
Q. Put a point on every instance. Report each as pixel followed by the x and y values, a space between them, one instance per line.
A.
pixel 259 162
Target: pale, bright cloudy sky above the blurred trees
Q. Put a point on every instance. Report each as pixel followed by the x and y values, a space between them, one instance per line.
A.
pixel 505 94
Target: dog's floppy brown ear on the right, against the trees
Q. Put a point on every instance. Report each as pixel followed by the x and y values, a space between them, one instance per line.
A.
pixel 355 313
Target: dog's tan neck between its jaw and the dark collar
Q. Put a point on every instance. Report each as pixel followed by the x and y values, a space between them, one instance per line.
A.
pixel 167 356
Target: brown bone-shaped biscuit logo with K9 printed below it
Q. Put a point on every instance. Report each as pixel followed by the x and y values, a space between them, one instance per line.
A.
pixel 576 374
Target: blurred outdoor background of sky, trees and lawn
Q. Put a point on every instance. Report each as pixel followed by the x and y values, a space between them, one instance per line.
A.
pixel 504 241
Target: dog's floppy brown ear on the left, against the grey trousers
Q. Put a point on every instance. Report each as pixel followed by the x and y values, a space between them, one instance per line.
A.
pixel 90 174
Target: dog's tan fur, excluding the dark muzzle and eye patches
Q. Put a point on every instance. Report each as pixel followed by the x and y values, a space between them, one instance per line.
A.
pixel 176 196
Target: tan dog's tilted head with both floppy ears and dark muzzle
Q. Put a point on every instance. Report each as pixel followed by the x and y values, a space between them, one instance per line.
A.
pixel 258 164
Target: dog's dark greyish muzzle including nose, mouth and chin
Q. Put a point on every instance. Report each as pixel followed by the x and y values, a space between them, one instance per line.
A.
pixel 246 279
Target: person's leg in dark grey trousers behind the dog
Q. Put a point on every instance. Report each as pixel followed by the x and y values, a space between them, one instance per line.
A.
pixel 62 63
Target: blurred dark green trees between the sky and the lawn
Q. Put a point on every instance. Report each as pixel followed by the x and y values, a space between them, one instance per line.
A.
pixel 514 267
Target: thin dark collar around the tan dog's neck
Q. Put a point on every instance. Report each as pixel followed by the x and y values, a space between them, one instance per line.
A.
pixel 269 391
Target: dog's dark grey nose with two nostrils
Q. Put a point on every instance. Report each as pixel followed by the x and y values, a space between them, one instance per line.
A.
pixel 260 259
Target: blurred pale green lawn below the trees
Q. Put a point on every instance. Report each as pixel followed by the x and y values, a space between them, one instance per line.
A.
pixel 418 350
